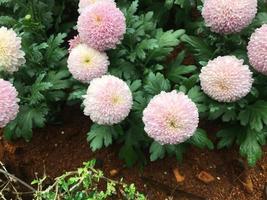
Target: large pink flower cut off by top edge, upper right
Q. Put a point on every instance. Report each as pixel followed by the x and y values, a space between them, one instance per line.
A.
pixel 228 16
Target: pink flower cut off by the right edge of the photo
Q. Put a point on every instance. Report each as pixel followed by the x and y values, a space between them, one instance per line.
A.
pixel 257 49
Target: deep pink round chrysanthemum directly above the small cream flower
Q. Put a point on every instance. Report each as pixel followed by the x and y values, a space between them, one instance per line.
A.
pixel 101 26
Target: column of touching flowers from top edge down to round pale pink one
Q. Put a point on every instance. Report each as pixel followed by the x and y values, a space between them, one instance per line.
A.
pixel 101 26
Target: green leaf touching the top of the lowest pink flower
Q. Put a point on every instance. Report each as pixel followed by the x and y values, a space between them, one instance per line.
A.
pixel 156 83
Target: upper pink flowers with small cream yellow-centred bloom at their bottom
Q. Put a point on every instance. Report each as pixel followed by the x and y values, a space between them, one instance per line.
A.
pixel 101 26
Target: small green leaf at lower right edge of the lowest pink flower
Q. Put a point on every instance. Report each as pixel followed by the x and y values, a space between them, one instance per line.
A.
pixel 201 140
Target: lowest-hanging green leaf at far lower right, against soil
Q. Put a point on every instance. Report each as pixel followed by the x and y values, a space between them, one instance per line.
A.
pixel 250 148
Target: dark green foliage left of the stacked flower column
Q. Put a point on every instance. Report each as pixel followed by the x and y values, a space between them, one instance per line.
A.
pixel 43 81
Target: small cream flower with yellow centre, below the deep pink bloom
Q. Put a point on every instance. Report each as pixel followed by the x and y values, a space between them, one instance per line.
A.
pixel 86 63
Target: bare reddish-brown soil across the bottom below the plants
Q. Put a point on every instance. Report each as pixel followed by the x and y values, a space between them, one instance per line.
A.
pixel 56 149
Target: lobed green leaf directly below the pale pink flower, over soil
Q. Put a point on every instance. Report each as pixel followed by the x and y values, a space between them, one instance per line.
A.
pixel 99 136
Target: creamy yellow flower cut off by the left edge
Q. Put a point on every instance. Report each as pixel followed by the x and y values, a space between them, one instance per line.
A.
pixel 11 55
